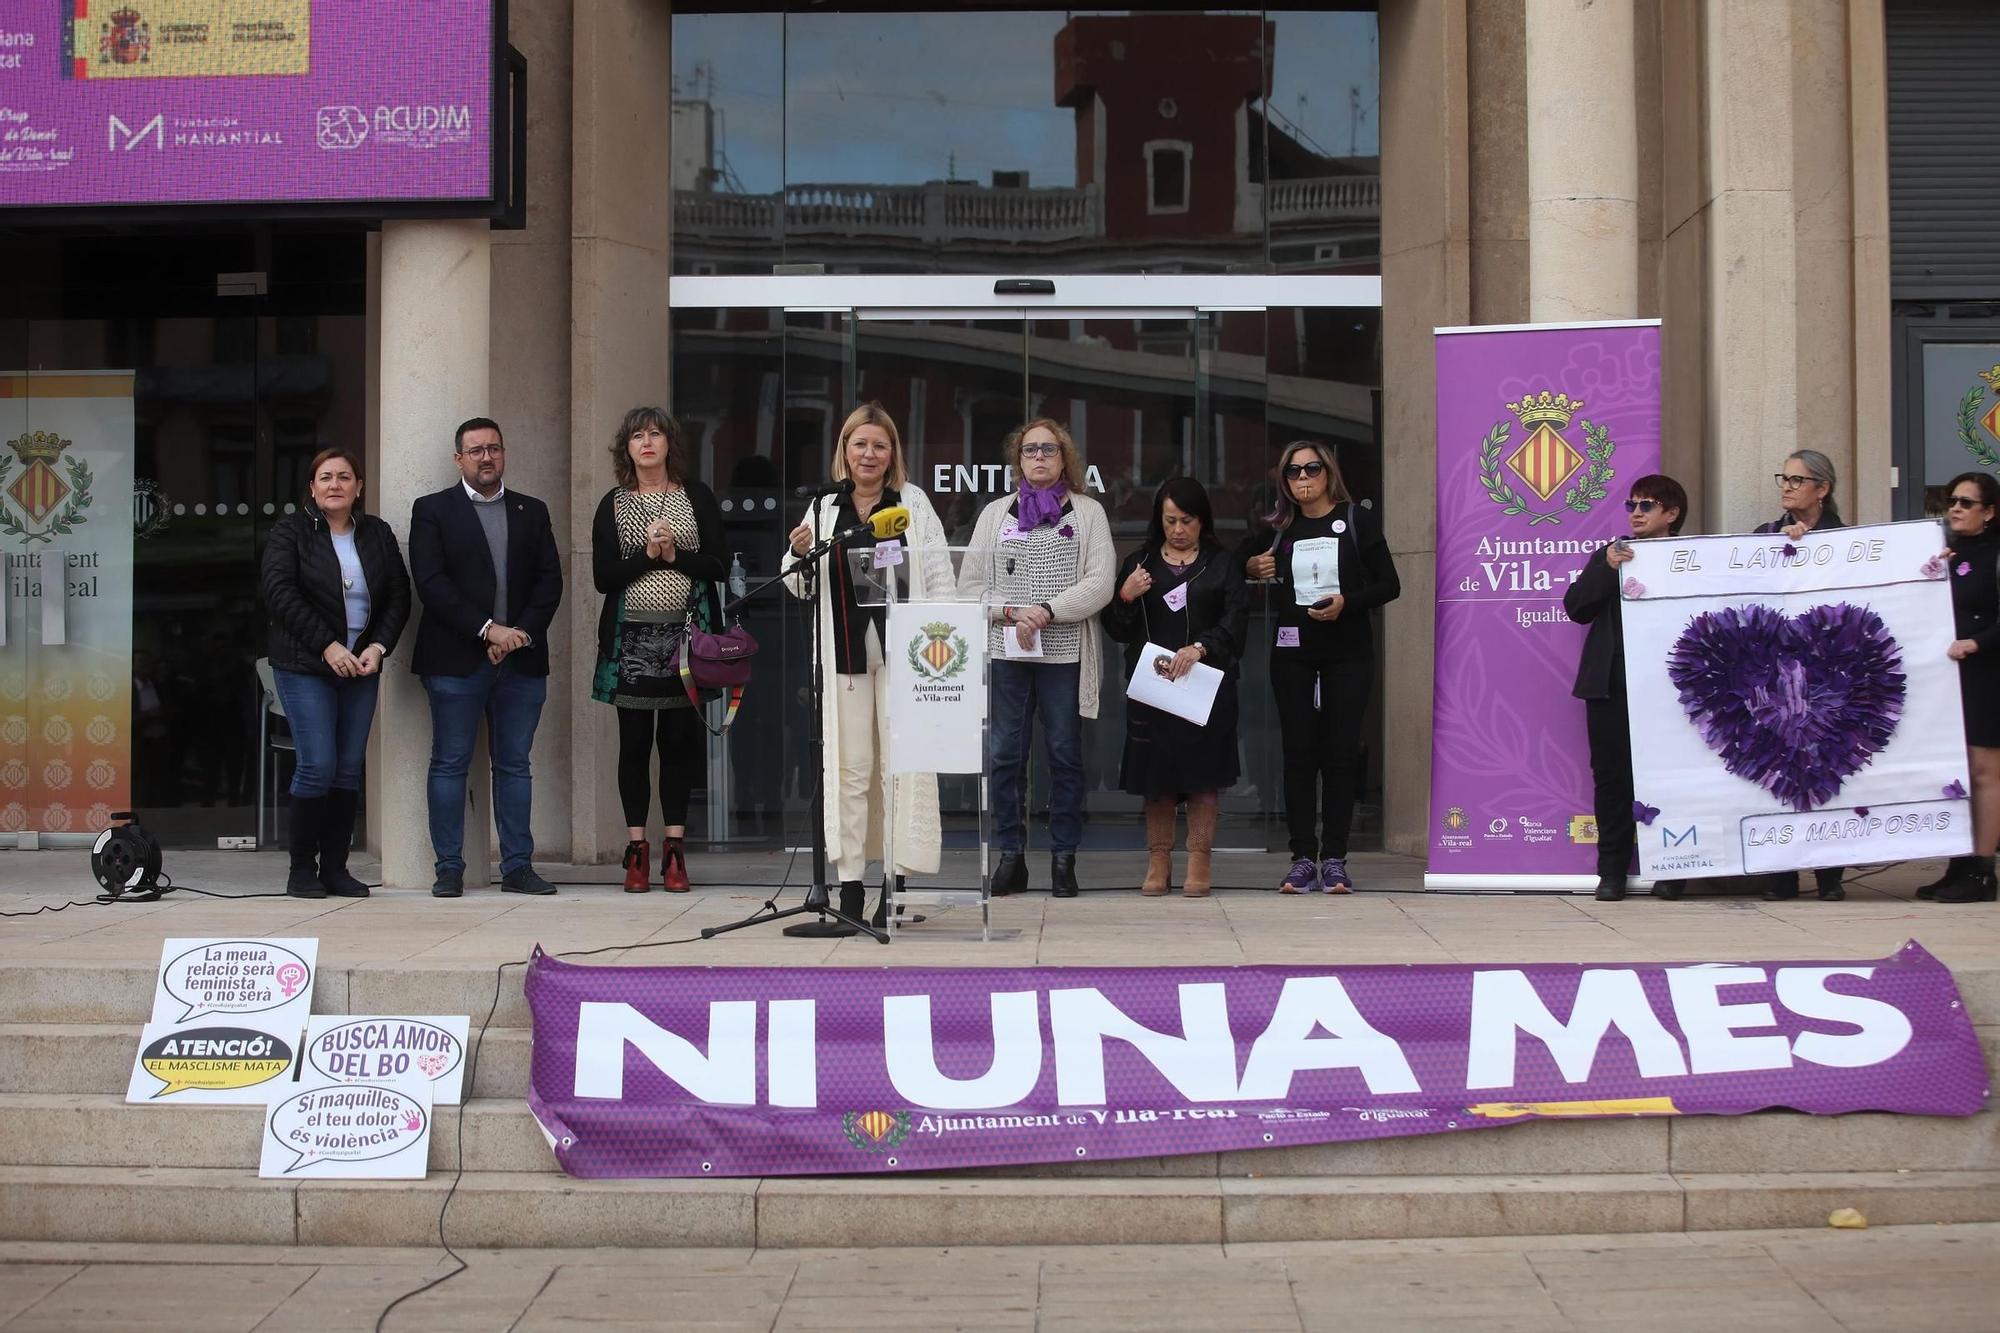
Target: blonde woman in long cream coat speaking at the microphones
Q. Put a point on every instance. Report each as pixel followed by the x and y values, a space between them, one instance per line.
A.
pixel 855 714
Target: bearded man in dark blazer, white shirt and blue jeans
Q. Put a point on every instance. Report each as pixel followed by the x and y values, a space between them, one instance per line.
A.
pixel 489 575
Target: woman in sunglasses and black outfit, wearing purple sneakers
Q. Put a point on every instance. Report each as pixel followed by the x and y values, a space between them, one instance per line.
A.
pixel 1335 567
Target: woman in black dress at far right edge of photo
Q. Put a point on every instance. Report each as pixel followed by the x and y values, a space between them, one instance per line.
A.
pixel 1973 565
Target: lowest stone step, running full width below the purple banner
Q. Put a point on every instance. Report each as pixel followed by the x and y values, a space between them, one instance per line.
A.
pixel 541 1210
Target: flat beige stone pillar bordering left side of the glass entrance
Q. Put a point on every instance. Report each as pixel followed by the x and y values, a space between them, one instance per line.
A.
pixel 621 219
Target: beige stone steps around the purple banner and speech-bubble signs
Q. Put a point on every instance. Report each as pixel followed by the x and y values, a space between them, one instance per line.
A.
pixel 77 1164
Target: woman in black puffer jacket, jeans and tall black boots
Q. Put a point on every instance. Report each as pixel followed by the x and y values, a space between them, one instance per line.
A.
pixel 337 595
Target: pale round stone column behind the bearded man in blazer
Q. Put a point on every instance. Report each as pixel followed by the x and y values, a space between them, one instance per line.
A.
pixel 433 367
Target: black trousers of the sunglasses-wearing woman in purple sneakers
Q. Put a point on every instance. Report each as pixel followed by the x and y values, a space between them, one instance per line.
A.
pixel 1321 710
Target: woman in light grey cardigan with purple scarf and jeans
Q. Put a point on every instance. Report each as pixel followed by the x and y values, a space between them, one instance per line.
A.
pixel 1049 577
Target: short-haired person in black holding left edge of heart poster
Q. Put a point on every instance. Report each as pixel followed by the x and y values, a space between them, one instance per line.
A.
pixel 1657 509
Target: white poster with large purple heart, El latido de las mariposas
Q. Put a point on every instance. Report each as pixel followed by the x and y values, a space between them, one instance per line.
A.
pixel 1793 704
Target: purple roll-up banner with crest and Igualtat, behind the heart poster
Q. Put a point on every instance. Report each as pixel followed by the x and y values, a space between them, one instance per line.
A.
pixel 1541 433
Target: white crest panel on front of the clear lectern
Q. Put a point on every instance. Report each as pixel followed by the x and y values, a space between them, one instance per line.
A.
pixel 937 688
